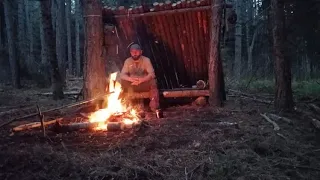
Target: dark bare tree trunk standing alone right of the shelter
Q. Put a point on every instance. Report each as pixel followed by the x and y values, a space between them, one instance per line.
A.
pixel 283 96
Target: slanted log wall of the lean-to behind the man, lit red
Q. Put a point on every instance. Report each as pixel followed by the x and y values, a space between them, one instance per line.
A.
pixel 176 42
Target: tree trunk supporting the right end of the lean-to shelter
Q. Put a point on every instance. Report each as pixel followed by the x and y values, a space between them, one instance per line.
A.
pixel 215 64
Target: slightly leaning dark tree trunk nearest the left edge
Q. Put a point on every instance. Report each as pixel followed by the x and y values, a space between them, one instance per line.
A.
pixel 14 63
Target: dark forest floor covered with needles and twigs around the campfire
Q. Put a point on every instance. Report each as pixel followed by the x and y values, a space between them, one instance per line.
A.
pixel 190 142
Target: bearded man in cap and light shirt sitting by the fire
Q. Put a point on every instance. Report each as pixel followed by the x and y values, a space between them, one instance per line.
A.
pixel 137 75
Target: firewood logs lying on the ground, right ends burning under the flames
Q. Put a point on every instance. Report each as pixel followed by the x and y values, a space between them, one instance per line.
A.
pixel 83 121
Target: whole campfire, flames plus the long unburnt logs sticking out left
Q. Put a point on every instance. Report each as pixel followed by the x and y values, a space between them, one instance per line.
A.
pixel 115 115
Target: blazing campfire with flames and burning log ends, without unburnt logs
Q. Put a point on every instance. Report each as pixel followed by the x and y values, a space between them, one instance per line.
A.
pixel 115 114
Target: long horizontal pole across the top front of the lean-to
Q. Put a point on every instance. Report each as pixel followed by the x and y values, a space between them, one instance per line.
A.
pixel 170 11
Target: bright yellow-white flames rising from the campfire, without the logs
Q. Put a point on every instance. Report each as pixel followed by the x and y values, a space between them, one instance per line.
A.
pixel 114 107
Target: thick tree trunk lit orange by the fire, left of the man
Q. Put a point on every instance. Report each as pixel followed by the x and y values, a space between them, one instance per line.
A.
pixel 94 67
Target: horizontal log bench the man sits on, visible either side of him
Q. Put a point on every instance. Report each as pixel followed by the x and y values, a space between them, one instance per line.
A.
pixel 172 94
